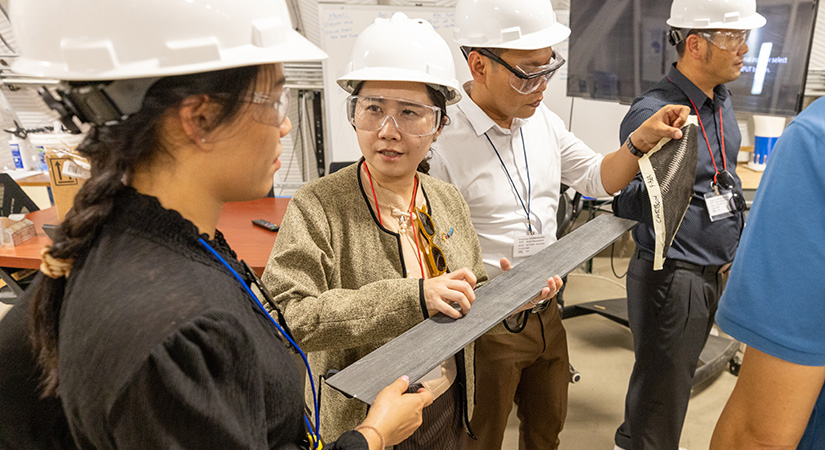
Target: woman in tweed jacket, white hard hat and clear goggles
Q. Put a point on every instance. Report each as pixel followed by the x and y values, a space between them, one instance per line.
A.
pixel 382 245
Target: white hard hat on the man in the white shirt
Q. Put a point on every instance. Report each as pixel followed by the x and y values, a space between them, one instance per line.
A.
pixel 509 24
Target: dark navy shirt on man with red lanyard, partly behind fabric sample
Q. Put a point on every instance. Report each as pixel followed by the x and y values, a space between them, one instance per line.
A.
pixel 698 240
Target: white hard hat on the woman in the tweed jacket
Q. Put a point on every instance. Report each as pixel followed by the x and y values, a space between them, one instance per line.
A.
pixel 402 49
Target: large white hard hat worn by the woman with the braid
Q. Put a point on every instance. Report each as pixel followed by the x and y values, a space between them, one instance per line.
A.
pixel 122 39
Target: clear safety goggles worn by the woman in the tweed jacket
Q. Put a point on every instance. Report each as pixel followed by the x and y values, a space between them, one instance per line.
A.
pixel 411 118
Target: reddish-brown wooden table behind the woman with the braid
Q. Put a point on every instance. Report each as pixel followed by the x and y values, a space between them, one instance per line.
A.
pixel 253 244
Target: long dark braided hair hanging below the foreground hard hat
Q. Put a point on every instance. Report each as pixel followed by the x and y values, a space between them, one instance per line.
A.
pixel 114 151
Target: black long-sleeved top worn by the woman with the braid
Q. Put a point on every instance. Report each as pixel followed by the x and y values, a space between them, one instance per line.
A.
pixel 161 348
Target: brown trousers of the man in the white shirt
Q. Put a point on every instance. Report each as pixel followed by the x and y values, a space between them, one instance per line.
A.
pixel 530 368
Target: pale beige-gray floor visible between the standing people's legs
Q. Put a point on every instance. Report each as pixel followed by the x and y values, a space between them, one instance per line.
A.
pixel 603 352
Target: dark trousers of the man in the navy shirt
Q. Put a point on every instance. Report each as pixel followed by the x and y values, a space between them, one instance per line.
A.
pixel 671 313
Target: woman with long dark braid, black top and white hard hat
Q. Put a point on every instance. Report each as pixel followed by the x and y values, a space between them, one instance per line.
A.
pixel 143 319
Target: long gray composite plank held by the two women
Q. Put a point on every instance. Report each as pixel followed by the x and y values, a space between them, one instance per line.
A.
pixel 421 348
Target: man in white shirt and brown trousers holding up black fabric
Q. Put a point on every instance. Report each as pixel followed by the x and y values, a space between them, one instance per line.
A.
pixel 508 155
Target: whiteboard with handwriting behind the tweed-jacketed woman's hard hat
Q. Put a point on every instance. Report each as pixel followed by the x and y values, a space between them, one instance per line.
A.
pixel 340 25
